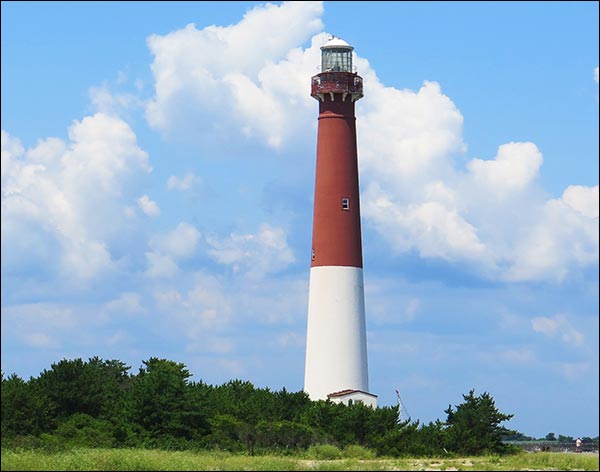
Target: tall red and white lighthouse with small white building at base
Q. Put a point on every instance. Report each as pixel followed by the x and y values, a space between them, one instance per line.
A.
pixel 336 340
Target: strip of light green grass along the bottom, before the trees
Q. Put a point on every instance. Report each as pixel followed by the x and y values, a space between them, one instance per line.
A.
pixel 140 459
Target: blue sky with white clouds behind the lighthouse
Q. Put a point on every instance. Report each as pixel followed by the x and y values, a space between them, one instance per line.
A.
pixel 158 167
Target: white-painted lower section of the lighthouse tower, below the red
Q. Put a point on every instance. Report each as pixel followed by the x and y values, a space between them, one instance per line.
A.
pixel 336 338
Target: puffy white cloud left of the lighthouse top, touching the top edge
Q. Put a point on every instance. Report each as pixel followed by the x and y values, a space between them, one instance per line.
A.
pixel 234 78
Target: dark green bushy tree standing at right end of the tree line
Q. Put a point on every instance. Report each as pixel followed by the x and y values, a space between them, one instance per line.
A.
pixel 474 427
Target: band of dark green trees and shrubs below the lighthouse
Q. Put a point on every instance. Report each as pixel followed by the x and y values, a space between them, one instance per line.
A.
pixel 99 403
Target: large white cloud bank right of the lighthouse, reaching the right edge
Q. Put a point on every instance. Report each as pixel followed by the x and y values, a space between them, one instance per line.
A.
pixel 492 217
